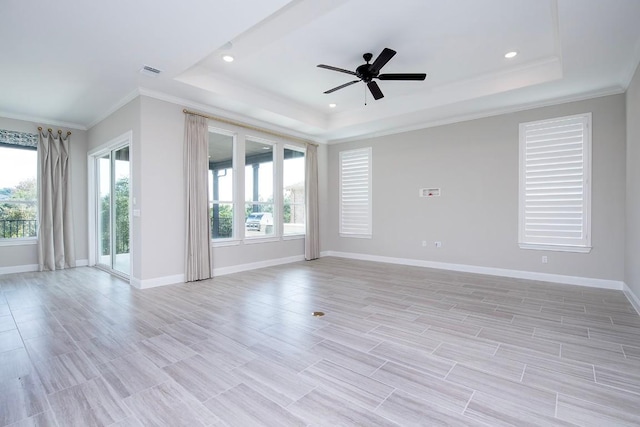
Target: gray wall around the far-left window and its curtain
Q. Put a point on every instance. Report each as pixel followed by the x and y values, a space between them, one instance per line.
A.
pixel 26 255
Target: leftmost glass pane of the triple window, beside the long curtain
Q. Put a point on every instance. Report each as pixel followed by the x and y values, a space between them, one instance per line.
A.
pixel 221 184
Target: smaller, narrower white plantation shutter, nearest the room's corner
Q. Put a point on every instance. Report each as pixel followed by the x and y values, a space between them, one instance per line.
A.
pixel 355 193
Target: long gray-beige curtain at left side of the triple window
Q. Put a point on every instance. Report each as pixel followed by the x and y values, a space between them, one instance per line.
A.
pixel 196 170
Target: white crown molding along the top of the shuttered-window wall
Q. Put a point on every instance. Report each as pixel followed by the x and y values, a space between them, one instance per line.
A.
pixel 481 115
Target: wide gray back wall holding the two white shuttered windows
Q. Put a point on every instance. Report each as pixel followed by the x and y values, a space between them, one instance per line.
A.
pixel 475 163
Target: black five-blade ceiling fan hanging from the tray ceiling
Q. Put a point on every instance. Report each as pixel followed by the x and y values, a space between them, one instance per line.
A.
pixel 368 72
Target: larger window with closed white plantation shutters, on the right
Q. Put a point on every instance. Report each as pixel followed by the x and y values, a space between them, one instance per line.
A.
pixel 555 184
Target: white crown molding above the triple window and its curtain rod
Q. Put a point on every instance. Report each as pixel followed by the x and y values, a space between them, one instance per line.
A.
pixel 226 114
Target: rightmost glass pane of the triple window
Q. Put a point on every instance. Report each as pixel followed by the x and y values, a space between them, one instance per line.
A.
pixel 293 209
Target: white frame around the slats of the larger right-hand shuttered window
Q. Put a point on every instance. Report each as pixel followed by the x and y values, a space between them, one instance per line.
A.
pixel 554 243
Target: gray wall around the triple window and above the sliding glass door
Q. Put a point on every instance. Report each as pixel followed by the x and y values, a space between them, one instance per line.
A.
pixel 158 186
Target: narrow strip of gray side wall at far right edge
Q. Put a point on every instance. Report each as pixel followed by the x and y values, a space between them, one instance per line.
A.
pixel 632 250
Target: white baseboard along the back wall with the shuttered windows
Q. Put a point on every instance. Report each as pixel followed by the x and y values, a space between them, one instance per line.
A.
pixel 517 274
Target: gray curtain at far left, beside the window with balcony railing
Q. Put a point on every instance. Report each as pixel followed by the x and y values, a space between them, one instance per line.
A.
pixel 55 217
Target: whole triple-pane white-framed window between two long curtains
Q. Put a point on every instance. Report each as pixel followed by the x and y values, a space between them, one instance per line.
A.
pixel 264 203
